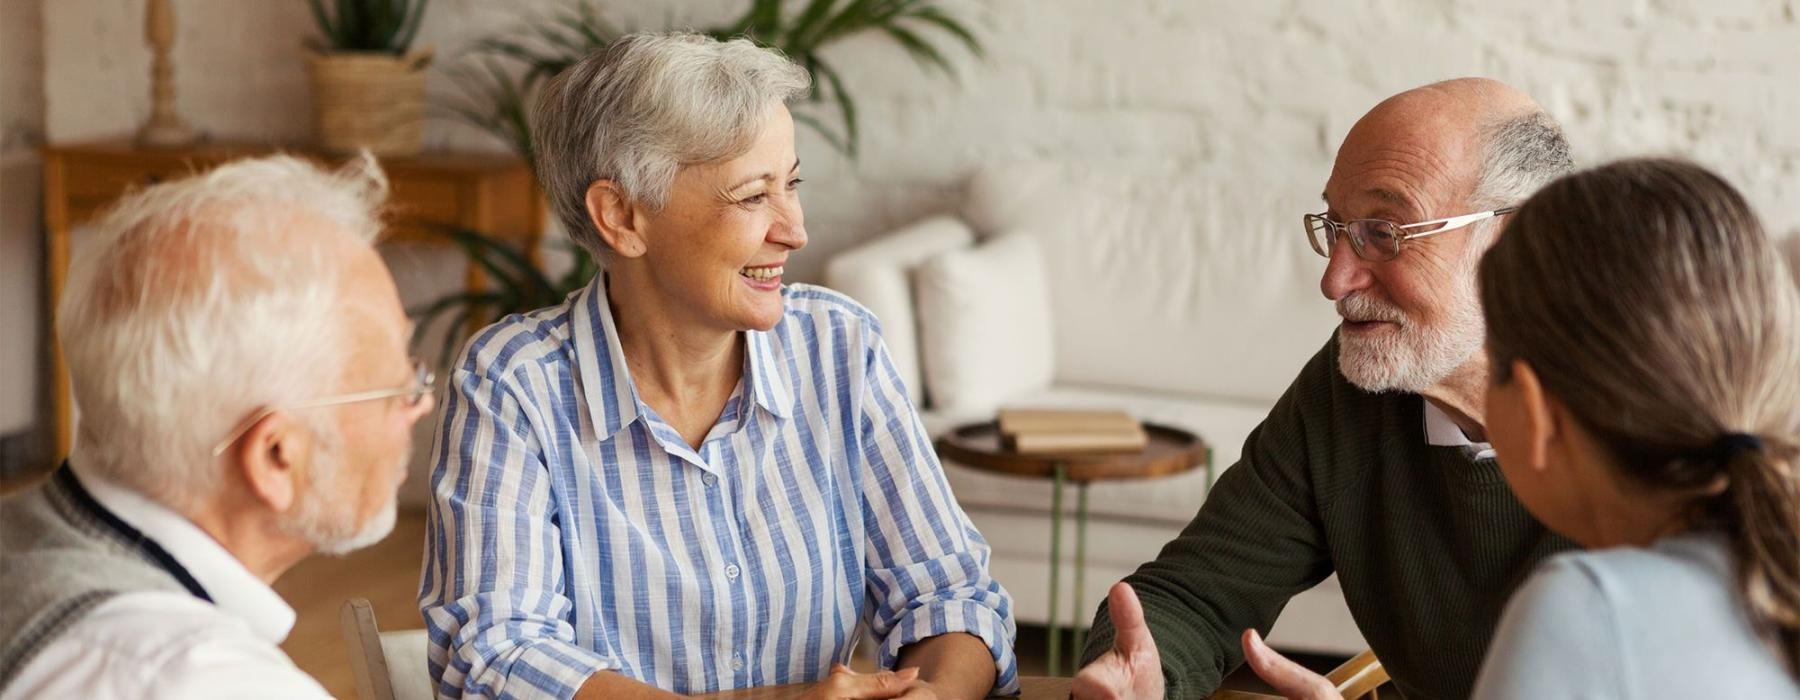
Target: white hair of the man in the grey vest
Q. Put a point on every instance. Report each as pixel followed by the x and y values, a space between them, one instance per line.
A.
pixel 202 301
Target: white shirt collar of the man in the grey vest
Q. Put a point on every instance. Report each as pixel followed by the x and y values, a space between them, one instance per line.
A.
pixel 233 588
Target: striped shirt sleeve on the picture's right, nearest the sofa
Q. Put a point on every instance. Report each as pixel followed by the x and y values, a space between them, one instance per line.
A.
pixel 928 566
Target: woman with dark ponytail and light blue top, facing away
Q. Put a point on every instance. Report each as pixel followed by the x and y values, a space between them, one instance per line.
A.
pixel 1644 402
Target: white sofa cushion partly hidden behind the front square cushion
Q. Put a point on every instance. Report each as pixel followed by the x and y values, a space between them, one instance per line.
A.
pixel 879 276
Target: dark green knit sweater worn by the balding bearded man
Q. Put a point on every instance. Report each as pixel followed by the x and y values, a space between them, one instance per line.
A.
pixel 1426 543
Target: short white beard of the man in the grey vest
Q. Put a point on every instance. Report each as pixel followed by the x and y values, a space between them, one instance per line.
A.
pixel 327 517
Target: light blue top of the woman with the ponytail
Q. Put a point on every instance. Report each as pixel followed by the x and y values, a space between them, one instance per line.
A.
pixel 1633 624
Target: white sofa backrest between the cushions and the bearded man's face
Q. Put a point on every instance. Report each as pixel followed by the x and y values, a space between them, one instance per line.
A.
pixel 1164 283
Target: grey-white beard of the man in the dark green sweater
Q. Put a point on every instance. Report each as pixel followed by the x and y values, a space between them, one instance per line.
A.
pixel 1412 359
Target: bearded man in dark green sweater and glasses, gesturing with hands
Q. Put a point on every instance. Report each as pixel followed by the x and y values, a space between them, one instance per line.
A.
pixel 1374 465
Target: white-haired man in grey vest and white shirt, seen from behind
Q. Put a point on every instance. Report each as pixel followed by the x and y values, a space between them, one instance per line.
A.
pixel 238 354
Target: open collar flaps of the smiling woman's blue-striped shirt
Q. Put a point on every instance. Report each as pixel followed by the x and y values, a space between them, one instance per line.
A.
pixel 607 382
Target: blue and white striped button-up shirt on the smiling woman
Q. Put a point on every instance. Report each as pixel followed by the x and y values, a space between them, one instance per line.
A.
pixel 571 530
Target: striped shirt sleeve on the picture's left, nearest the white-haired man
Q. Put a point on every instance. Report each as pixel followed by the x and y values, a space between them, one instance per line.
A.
pixel 494 595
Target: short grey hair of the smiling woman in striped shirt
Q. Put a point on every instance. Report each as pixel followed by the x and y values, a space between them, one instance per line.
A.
pixel 647 105
